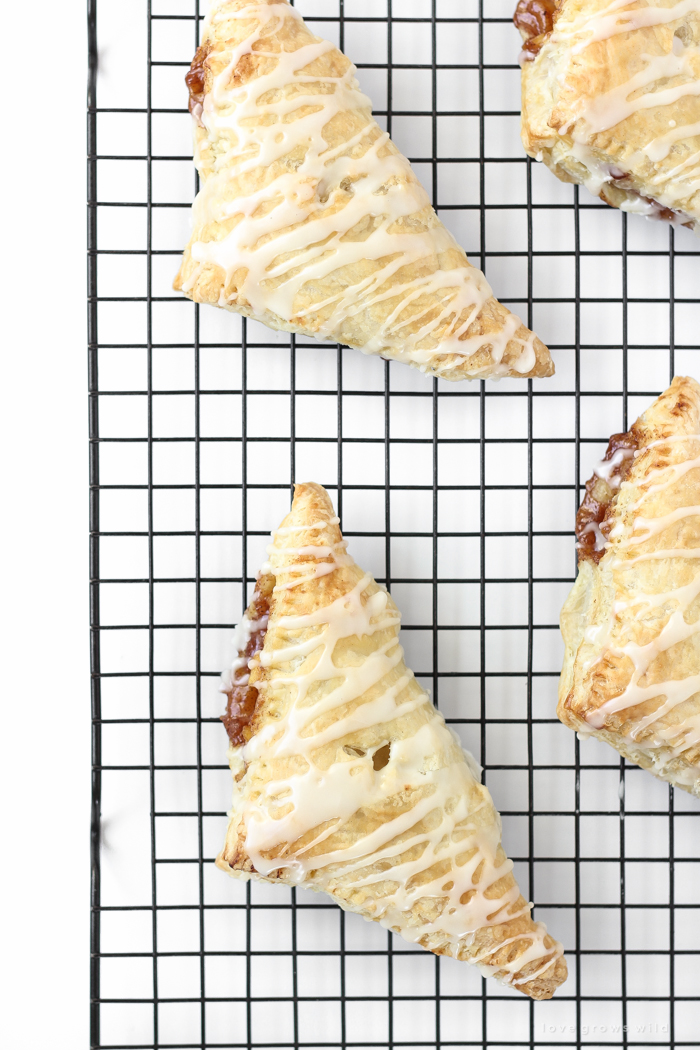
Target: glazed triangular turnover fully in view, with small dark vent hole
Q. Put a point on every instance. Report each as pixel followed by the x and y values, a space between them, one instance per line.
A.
pixel 347 779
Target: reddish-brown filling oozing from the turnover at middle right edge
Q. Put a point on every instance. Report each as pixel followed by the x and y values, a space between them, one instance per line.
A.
pixel 596 513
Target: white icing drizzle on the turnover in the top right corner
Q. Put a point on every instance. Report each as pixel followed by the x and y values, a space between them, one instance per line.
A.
pixel 663 81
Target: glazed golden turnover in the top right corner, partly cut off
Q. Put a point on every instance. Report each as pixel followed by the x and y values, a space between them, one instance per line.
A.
pixel 611 100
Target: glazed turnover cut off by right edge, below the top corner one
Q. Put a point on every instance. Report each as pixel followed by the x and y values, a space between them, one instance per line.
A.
pixel 632 623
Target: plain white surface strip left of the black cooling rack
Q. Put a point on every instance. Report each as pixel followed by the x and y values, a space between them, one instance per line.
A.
pixel 46 691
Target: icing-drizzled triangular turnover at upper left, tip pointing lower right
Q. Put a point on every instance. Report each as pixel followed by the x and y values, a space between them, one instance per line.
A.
pixel 310 220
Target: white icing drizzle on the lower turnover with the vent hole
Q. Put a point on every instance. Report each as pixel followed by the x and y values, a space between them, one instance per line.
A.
pixel 432 763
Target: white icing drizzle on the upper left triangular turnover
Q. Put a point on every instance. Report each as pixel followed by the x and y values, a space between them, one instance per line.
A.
pixel 311 212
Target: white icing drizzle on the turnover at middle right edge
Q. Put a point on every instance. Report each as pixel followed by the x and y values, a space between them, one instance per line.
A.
pixel 672 742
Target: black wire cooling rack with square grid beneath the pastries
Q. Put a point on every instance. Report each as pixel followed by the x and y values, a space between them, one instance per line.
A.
pixel 460 498
